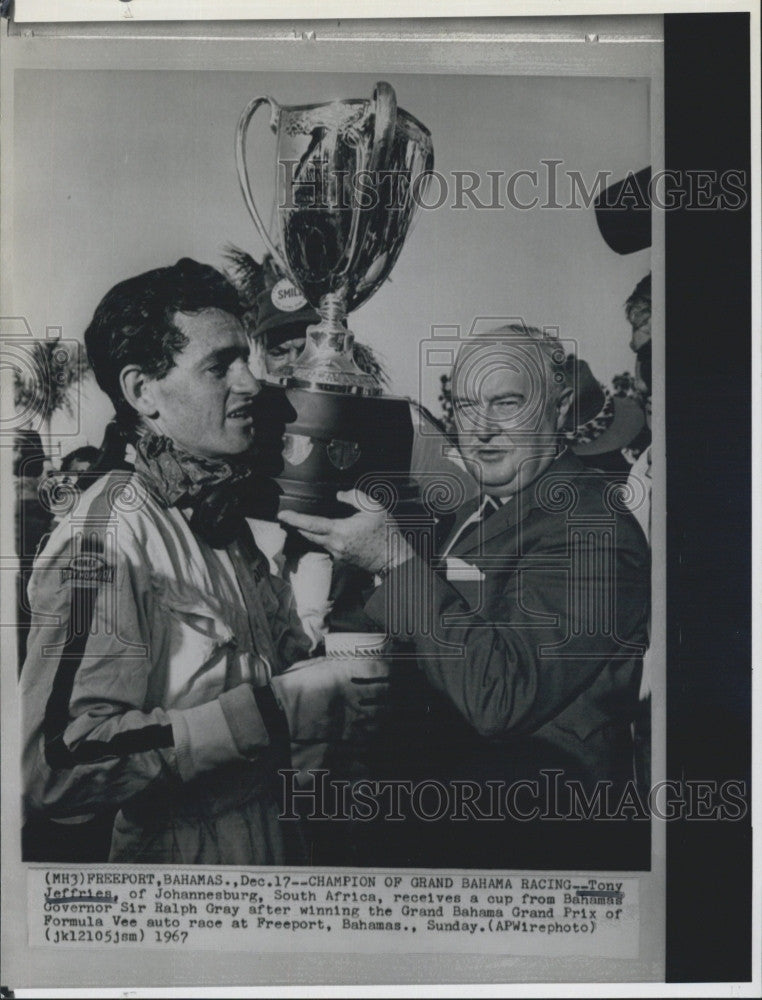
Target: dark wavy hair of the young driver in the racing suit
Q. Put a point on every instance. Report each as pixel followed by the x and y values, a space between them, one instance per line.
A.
pixel 134 324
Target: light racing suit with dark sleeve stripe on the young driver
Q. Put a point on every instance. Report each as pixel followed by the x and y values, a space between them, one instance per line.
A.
pixel 144 686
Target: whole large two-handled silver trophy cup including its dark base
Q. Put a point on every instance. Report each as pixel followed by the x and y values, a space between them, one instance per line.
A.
pixel 350 176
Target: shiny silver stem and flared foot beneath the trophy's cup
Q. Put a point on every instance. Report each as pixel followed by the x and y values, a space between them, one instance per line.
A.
pixel 327 360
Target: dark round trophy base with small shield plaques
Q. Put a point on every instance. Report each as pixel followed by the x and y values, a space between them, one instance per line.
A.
pixel 339 441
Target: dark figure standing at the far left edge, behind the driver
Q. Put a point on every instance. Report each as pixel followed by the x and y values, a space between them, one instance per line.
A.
pixel 32 523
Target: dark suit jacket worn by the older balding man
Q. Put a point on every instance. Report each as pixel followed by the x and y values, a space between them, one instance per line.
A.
pixel 531 651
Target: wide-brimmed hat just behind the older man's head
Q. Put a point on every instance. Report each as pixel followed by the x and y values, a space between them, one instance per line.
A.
pixel 597 421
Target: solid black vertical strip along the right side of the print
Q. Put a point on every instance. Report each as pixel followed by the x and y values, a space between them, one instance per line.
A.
pixel 708 379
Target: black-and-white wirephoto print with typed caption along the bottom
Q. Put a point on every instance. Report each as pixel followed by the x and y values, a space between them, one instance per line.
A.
pixel 335 524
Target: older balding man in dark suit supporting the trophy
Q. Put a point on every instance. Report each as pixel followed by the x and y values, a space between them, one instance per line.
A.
pixel 528 628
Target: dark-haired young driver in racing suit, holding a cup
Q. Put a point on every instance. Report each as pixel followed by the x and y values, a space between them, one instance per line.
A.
pixel 168 696
